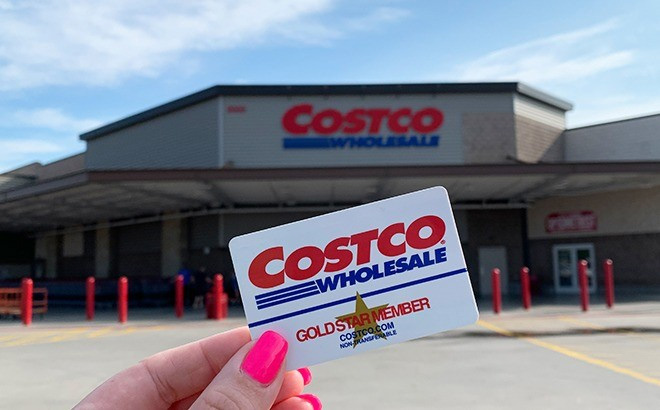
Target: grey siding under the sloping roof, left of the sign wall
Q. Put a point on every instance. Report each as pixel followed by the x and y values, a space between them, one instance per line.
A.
pixel 182 139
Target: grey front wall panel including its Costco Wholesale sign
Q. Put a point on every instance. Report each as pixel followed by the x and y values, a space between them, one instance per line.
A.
pixel 351 130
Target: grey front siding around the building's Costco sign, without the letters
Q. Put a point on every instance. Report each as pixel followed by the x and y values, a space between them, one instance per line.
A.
pixel 254 138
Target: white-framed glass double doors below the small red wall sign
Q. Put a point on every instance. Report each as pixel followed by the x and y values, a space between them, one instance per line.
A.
pixel 565 260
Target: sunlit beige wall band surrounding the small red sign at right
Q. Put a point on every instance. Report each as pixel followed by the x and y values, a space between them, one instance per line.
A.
pixel 619 212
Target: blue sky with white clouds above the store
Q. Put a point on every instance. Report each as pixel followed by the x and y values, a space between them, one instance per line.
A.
pixel 68 66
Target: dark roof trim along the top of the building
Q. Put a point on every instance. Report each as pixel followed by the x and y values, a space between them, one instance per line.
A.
pixel 348 89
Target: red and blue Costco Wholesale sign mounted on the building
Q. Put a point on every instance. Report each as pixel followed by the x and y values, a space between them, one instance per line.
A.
pixel 310 128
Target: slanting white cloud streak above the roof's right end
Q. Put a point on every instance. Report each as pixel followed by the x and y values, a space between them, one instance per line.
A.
pixel 560 58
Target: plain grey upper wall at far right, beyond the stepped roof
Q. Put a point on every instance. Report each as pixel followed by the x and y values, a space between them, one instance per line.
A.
pixel 632 140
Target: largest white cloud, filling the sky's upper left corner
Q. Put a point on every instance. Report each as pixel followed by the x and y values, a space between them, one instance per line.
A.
pixel 60 42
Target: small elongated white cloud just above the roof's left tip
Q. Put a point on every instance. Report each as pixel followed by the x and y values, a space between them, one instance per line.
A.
pixel 53 119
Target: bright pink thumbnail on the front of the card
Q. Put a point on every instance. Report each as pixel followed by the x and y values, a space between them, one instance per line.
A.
pixel 264 360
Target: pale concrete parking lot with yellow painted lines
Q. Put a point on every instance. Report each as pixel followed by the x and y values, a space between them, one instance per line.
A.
pixel 553 356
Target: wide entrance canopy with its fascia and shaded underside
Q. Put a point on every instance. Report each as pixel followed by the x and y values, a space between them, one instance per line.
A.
pixel 89 197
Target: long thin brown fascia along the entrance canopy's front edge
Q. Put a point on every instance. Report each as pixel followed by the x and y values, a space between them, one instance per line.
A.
pixel 109 176
